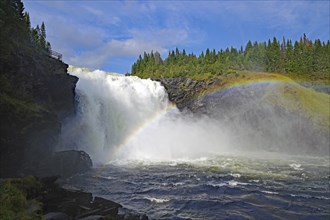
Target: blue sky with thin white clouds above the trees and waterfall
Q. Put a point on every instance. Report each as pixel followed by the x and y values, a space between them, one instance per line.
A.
pixel 110 35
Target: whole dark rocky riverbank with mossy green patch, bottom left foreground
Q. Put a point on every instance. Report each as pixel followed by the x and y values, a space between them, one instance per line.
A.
pixel 43 198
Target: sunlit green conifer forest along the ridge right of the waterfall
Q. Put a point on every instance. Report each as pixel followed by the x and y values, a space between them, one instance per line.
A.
pixel 303 57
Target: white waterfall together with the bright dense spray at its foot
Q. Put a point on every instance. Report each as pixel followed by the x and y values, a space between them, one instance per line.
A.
pixel 131 118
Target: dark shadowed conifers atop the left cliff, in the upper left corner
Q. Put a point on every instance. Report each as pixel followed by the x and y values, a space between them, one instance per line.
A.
pixel 16 32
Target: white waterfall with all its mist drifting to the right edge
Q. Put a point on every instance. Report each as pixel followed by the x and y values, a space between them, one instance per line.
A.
pixel 128 118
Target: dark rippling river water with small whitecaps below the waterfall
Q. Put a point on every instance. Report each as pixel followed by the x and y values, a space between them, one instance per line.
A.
pixel 224 187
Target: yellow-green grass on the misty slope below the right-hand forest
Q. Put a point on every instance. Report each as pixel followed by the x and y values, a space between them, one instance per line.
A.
pixel 288 94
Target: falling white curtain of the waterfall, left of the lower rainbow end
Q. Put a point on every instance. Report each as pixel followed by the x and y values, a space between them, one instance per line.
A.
pixel 110 107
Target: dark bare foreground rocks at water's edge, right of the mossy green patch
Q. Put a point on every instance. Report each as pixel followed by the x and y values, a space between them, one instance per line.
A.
pixel 60 203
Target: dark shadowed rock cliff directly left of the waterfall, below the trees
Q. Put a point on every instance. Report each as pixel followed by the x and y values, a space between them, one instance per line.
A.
pixel 37 95
